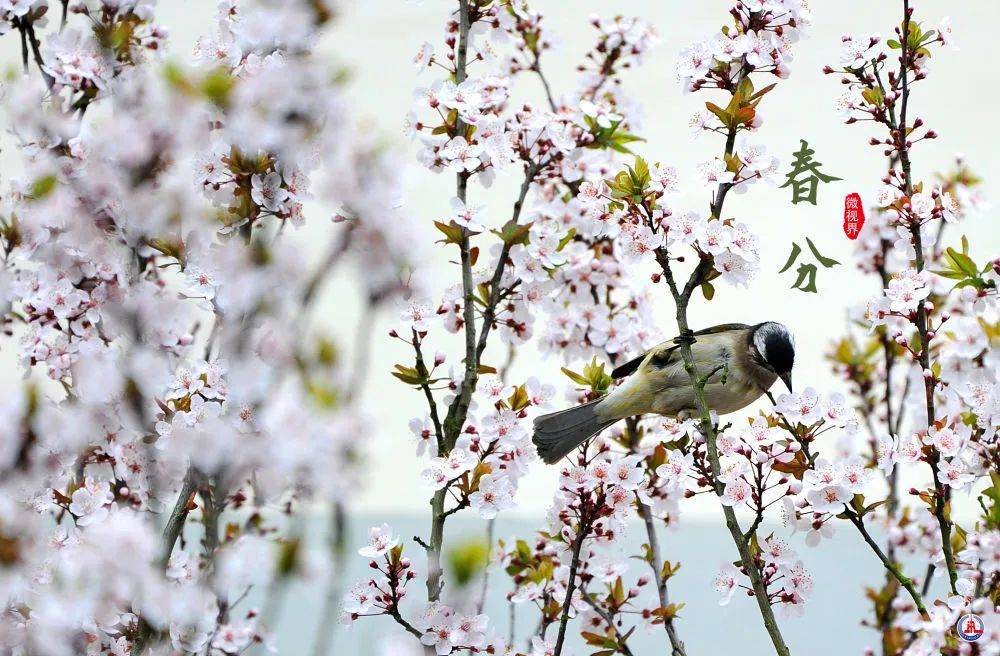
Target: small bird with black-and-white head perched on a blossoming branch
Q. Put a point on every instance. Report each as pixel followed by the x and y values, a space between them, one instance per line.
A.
pixel 744 362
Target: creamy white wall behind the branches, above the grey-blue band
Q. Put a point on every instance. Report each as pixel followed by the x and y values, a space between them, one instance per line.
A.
pixel 375 40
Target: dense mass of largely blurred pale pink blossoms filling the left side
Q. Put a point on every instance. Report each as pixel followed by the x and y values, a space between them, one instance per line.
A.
pixel 160 323
